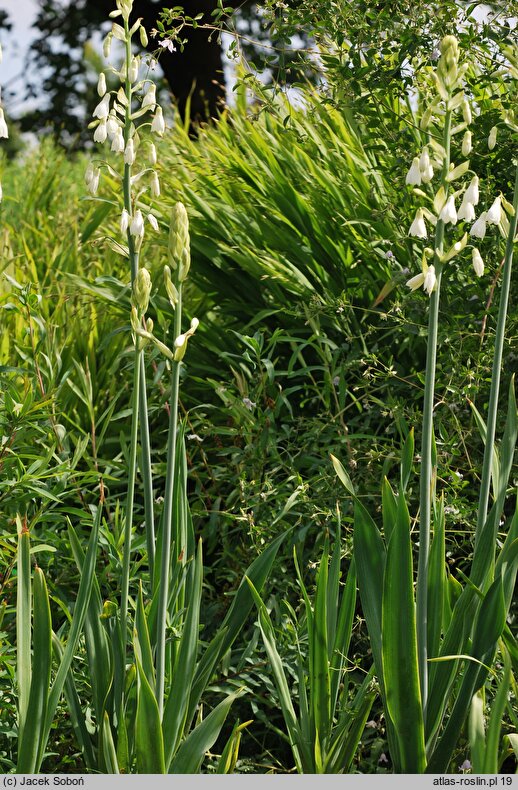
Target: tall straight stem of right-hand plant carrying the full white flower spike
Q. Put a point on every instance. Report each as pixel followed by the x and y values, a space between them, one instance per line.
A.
pixel 426 480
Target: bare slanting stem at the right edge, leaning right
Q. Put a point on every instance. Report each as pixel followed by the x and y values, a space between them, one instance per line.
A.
pixel 497 367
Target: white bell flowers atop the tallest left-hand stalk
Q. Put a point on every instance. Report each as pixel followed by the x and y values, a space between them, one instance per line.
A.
pixel 115 116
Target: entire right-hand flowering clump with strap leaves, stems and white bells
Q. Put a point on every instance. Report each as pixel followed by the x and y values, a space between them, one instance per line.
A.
pixel 433 649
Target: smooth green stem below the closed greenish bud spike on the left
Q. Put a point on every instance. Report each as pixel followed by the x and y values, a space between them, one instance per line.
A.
pixel 165 557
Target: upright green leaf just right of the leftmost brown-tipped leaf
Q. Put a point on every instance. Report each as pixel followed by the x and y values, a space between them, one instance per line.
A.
pixel 33 739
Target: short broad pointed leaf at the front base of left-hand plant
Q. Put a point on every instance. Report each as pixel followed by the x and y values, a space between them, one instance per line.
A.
pixel 149 740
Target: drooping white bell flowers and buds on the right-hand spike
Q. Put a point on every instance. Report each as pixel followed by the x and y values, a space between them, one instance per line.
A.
pixel 451 99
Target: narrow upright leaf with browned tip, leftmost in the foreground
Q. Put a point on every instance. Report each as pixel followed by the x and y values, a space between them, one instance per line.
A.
pixel 23 624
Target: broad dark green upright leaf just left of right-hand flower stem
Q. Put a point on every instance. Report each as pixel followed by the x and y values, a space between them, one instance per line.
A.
pixel 399 647
